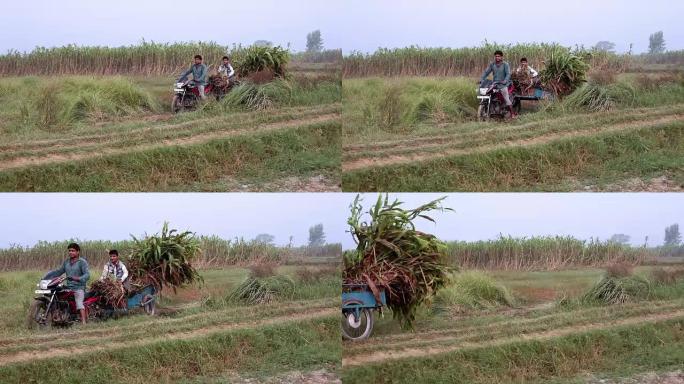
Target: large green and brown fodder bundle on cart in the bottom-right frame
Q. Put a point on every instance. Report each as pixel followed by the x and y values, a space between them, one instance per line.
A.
pixel 391 255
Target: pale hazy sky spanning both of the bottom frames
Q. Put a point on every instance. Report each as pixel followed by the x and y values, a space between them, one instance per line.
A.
pixel 29 217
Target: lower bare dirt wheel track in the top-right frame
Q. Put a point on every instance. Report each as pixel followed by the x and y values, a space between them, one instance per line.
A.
pixel 521 143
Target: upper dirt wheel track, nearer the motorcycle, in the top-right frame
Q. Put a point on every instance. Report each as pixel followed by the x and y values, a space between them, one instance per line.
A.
pixel 477 130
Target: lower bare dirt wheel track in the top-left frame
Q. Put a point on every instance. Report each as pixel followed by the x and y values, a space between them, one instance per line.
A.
pixel 20 162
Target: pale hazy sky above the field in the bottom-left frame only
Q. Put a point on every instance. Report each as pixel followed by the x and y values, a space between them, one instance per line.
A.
pixel 29 217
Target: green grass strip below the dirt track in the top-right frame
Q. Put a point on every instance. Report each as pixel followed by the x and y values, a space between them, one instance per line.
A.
pixel 557 166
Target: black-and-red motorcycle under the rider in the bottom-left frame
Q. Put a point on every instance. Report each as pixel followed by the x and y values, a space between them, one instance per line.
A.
pixel 55 305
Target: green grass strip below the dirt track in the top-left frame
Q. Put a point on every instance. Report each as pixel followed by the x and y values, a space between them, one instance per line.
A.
pixel 254 158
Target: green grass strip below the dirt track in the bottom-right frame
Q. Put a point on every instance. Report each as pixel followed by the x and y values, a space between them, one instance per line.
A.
pixel 623 350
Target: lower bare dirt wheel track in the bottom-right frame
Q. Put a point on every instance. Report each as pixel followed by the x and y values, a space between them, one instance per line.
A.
pixel 378 357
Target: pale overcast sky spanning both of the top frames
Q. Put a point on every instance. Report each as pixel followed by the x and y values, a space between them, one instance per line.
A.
pixel 362 25
